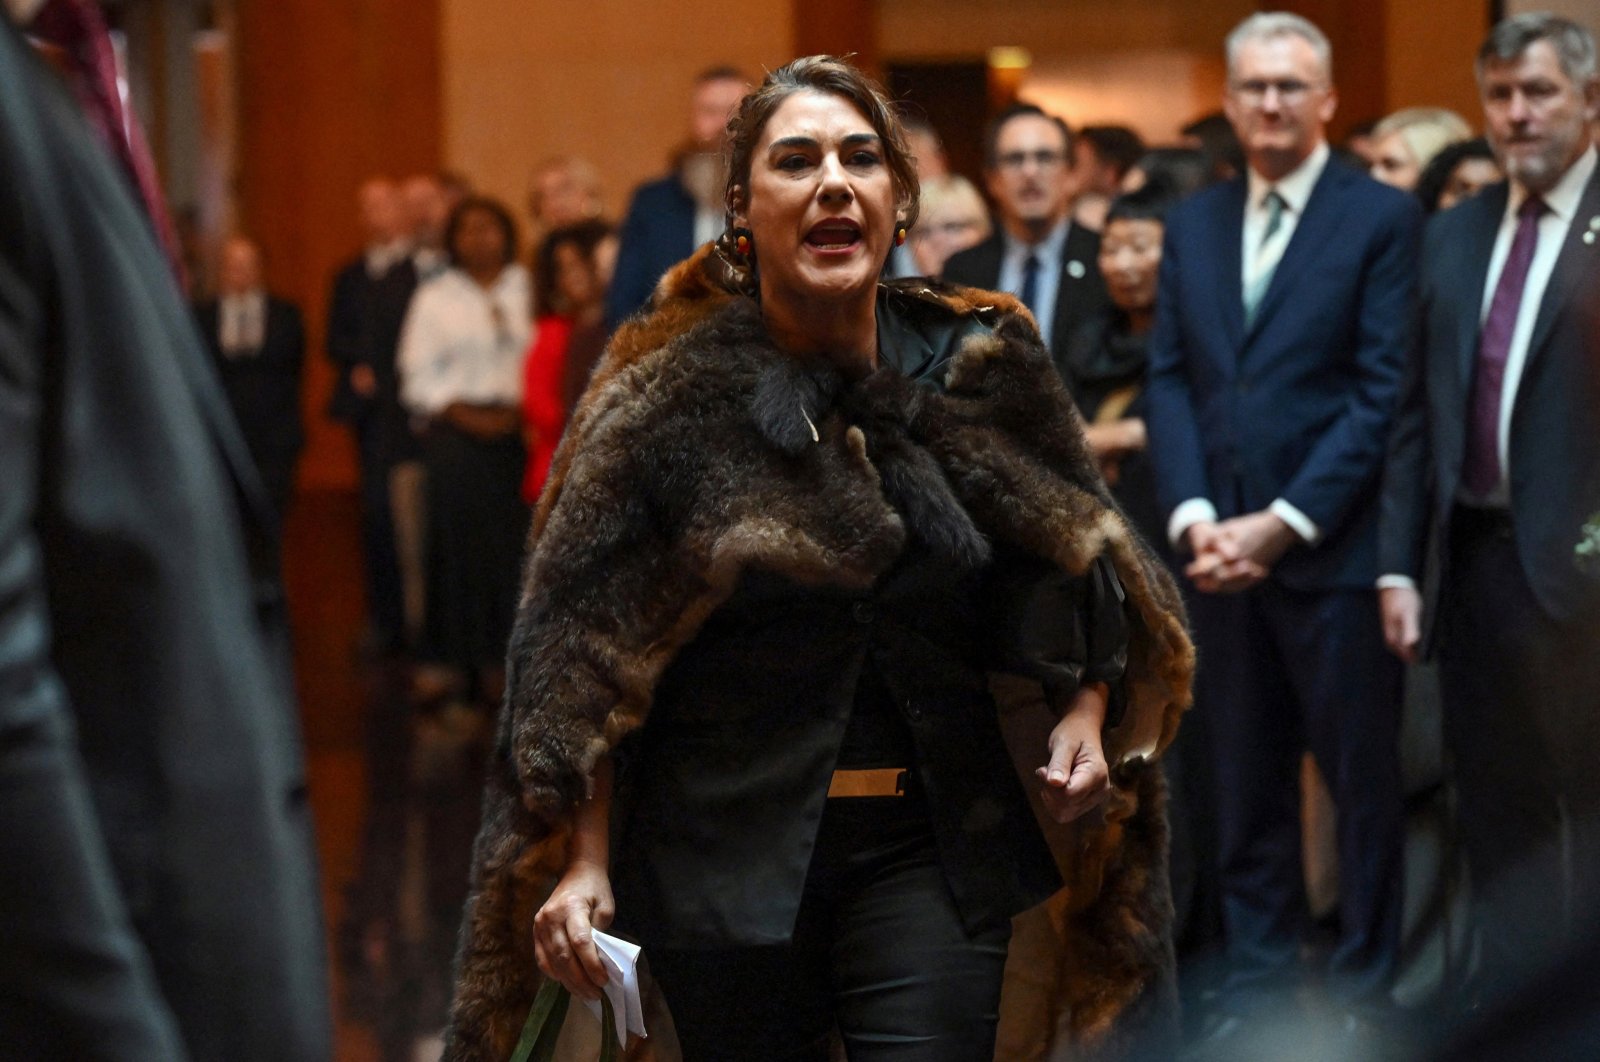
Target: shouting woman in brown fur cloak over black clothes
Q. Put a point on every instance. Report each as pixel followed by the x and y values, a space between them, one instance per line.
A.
pixel 814 554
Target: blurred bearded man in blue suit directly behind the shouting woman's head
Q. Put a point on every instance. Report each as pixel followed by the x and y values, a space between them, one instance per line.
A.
pixel 674 215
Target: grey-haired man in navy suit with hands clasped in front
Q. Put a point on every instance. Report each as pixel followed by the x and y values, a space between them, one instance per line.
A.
pixel 1276 367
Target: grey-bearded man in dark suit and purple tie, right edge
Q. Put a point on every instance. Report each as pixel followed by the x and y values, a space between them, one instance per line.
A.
pixel 1495 468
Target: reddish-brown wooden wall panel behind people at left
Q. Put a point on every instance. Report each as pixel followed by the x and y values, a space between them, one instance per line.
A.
pixel 330 92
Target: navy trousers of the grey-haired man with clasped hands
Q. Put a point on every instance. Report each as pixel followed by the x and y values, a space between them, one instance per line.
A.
pixel 1284 671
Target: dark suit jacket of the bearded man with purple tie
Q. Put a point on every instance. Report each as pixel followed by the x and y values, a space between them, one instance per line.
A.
pixel 1554 457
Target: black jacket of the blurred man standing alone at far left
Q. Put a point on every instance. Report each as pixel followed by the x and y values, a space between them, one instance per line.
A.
pixel 263 386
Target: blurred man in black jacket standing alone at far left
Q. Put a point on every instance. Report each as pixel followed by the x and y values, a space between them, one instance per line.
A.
pixel 258 343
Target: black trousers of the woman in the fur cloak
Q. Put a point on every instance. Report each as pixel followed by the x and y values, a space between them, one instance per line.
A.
pixel 879 952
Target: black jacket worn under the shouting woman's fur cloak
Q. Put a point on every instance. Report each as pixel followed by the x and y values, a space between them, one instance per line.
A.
pixel 719 815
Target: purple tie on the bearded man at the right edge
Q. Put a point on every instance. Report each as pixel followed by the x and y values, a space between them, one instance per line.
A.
pixel 1481 473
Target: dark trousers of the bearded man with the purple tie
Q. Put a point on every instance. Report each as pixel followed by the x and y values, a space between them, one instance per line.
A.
pixel 1522 724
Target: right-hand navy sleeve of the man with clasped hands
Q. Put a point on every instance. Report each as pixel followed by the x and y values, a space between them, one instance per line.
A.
pixel 1348 460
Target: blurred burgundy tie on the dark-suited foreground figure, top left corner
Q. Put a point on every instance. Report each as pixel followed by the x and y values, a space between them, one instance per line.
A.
pixel 78 28
